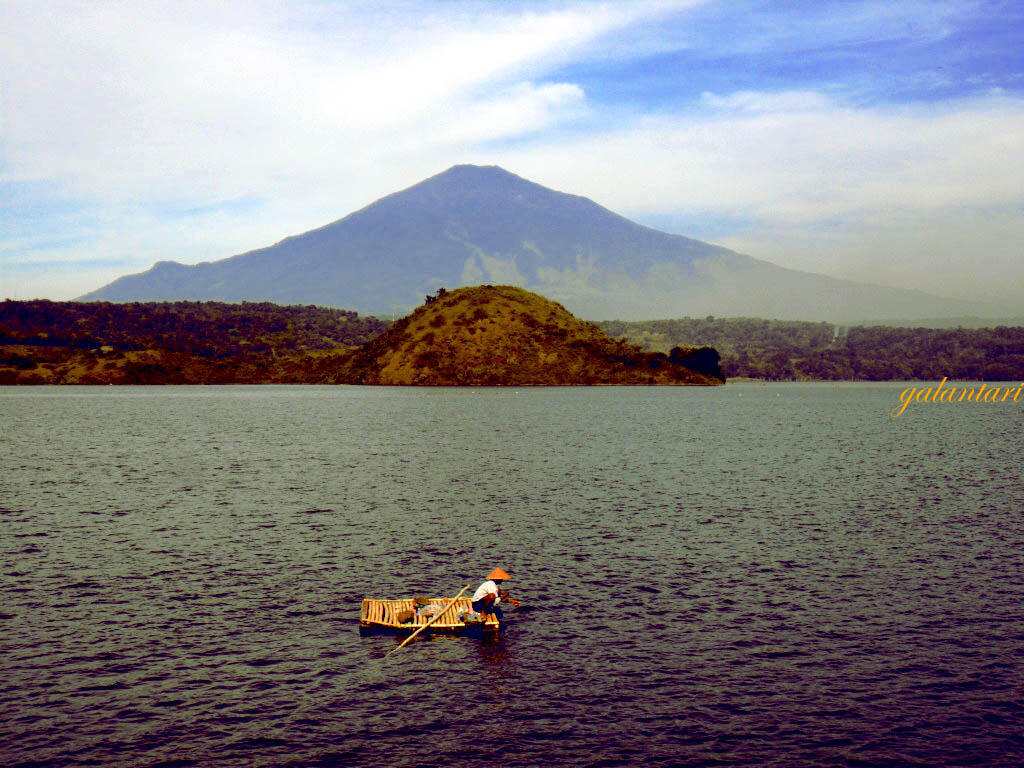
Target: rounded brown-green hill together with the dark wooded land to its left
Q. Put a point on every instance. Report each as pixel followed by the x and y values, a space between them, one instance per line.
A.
pixel 475 336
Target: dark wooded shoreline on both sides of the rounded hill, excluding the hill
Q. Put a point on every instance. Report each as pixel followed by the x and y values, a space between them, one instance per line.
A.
pixel 259 343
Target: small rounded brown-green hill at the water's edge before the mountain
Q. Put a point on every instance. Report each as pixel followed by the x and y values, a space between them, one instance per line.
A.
pixel 503 335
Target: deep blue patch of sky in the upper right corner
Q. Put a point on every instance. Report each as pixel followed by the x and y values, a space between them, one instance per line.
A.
pixel 869 54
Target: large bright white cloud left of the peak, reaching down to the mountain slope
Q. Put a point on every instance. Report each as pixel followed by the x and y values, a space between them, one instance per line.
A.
pixel 312 109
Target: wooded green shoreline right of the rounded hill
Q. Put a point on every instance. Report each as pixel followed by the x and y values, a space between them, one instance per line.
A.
pixel 793 351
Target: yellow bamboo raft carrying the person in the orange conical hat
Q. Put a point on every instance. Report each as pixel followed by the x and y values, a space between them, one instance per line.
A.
pixel 415 614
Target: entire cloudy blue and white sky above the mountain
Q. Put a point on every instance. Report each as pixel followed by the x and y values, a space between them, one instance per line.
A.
pixel 879 142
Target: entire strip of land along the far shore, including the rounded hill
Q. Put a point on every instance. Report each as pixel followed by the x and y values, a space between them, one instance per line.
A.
pixel 483 335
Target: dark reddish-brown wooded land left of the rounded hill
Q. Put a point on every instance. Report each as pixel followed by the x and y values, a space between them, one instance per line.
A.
pixel 47 343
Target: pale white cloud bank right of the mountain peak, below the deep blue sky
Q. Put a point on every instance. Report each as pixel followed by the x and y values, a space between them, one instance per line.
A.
pixel 926 198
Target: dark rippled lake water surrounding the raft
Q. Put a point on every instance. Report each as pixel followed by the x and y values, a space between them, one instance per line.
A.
pixel 760 576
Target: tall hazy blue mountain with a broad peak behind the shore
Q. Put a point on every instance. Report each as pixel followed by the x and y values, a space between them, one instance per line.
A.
pixel 474 225
